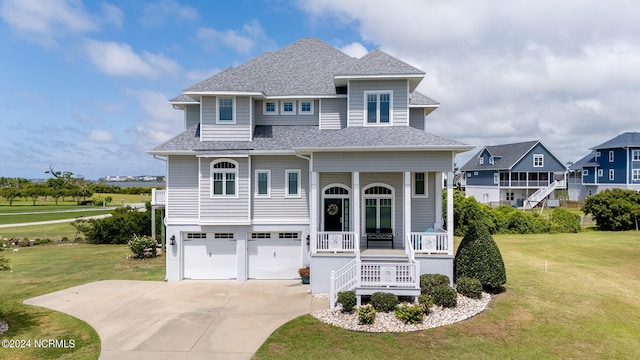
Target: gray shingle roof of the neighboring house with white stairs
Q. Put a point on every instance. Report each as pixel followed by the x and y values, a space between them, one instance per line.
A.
pixel 505 156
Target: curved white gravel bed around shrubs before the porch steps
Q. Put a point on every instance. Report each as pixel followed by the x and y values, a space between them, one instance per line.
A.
pixel 387 322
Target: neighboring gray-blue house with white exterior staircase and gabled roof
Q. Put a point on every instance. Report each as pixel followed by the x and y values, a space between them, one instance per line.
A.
pixel 520 174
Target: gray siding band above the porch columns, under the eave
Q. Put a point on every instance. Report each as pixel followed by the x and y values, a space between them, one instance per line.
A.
pixel 417 161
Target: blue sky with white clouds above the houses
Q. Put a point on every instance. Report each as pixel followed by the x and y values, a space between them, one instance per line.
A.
pixel 84 84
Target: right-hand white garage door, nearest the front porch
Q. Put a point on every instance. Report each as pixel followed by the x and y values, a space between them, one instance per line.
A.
pixel 274 258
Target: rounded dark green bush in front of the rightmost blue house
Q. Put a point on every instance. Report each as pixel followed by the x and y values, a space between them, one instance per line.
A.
pixel 614 209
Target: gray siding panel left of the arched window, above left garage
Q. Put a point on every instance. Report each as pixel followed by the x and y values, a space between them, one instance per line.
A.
pixel 182 197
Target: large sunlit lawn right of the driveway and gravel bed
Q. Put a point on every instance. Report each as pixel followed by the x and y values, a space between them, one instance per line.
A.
pixel 569 296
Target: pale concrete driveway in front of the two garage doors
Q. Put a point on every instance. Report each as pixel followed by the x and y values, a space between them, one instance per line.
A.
pixel 214 319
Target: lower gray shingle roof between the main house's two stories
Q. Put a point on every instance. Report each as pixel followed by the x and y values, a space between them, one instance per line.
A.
pixel 292 138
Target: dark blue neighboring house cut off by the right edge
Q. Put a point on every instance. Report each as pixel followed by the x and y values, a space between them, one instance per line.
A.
pixel 612 164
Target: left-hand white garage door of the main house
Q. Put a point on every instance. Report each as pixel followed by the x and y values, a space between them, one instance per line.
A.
pixel 209 259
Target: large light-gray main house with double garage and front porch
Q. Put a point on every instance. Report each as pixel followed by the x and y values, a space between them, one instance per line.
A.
pixel 307 156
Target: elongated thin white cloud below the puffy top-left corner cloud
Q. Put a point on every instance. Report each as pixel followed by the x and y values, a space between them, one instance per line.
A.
pixel 118 59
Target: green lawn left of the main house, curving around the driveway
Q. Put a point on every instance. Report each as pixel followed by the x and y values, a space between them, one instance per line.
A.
pixel 39 270
